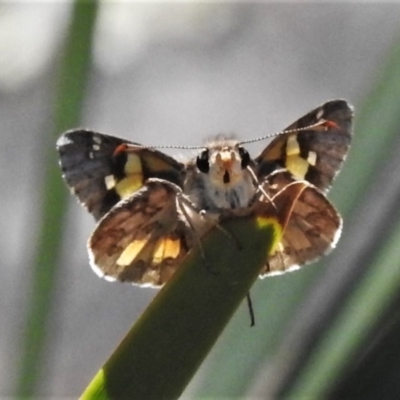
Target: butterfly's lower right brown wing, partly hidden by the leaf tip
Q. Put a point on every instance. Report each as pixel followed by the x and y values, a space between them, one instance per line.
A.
pixel 312 230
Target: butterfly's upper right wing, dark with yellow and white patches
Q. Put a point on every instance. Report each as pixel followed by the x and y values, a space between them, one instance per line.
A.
pixel 314 154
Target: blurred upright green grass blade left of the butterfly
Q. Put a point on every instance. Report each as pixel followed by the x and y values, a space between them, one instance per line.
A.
pixel 70 91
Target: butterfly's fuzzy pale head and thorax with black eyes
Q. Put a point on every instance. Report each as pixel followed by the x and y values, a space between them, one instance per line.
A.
pixel 219 179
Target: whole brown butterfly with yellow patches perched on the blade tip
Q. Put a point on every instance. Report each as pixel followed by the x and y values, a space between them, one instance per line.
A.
pixel 153 209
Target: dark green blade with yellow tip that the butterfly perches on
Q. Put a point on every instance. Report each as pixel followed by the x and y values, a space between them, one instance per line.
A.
pixel 164 349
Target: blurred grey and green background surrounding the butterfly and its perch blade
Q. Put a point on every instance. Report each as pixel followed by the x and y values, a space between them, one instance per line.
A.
pixel 177 73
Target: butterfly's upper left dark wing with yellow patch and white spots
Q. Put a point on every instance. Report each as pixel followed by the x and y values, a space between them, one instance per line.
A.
pixel 101 172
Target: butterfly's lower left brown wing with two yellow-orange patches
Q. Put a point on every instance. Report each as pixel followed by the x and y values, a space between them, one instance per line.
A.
pixel 142 240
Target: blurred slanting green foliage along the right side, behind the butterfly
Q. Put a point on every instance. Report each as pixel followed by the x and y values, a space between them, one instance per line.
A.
pixel 331 362
